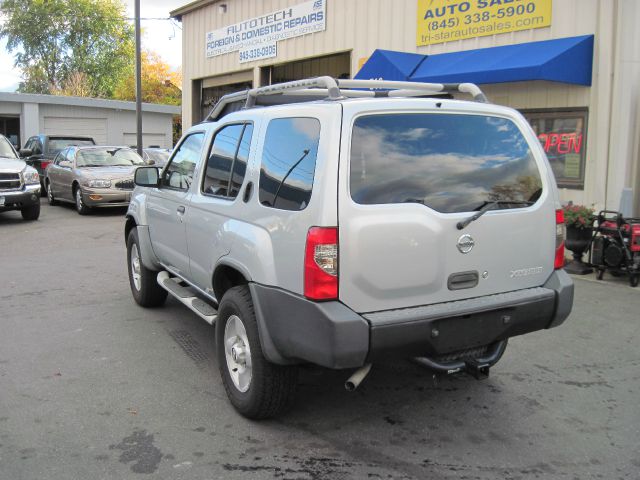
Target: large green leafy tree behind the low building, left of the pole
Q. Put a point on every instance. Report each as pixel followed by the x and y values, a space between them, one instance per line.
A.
pixel 57 40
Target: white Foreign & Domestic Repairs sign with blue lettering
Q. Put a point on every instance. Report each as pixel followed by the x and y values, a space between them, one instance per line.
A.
pixel 307 17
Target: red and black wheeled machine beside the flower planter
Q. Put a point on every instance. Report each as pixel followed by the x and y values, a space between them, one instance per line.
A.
pixel 616 246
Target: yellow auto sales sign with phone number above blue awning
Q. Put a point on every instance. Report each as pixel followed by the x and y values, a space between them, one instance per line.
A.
pixel 442 21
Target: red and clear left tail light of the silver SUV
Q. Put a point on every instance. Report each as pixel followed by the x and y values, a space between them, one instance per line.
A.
pixel 321 264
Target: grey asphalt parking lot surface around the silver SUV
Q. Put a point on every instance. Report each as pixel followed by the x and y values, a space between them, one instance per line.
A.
pixel 93 386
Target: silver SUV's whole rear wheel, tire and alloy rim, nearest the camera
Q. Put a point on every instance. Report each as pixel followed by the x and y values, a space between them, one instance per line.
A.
pixel 256 387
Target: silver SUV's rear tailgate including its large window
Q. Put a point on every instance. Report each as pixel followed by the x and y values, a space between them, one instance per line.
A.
pixel 408 176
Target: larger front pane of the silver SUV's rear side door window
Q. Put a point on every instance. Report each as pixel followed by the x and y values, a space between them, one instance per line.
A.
pixel 221 161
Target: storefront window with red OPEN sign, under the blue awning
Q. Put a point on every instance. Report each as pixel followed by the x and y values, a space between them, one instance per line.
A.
pixel 563 135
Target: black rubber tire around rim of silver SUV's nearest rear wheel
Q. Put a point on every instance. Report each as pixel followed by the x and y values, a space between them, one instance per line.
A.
pixel 272 388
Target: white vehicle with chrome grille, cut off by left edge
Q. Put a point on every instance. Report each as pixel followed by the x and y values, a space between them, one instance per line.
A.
pixel 19 183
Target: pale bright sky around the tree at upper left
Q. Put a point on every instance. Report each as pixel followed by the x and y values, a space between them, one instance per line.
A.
pixel 161 36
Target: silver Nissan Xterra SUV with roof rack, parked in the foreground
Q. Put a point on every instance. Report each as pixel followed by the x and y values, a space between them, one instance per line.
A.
pixel 330 223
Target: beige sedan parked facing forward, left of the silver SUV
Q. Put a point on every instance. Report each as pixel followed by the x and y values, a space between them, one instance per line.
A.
pixel 92 177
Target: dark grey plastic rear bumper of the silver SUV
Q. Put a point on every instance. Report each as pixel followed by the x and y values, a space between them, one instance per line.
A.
pixel 294 329
